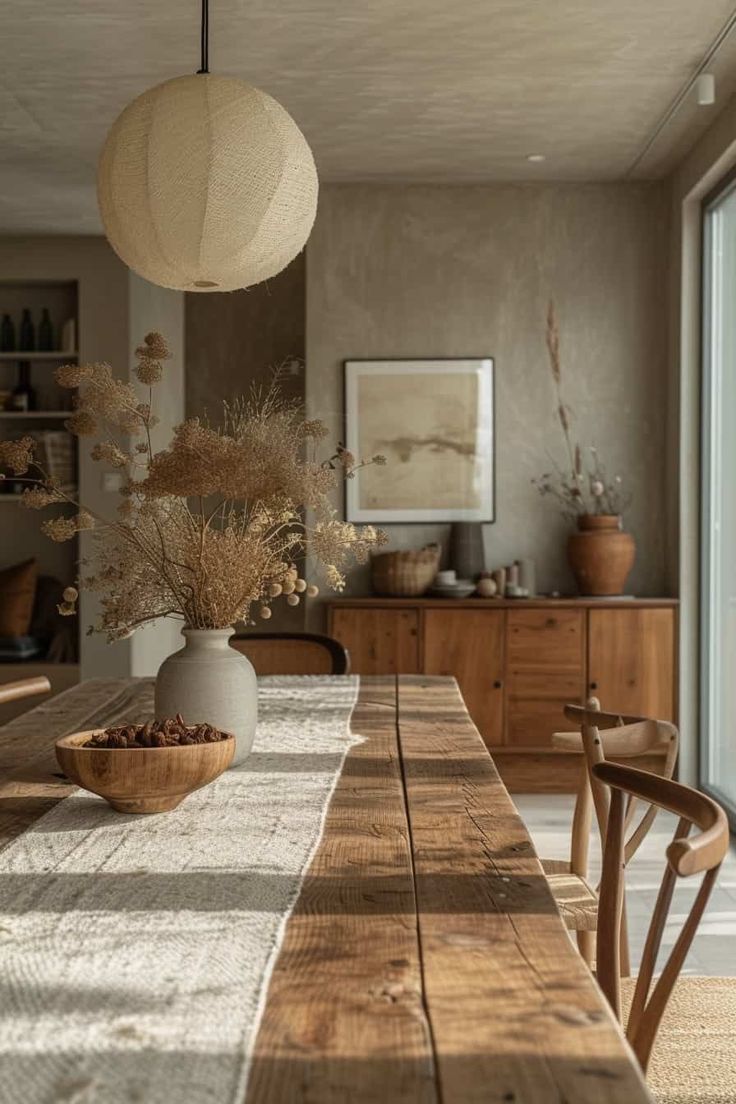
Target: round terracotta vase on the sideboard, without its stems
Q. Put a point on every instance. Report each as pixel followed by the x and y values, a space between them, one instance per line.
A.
pixel 601 555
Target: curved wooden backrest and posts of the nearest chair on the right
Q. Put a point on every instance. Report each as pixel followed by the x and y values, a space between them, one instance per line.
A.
pixel 686 856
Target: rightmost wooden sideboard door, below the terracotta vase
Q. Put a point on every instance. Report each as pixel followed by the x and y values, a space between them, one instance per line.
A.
pixel 632 661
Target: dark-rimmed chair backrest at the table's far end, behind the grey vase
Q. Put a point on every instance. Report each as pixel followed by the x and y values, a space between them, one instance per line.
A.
pixel 293 653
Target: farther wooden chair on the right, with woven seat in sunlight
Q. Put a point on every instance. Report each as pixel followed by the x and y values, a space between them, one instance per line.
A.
pixel 602 736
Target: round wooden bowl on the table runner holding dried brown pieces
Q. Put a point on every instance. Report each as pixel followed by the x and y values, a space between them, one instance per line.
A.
pixel 143 780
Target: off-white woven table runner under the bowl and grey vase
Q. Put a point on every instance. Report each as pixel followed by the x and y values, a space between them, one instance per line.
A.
pixel 135 952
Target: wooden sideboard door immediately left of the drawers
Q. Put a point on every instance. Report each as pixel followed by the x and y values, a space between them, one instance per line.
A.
pixel 470 644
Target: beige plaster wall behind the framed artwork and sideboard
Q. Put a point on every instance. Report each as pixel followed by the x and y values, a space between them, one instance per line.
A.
pixel 432 271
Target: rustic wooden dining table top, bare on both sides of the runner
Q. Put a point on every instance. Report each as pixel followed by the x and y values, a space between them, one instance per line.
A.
pixel 425 961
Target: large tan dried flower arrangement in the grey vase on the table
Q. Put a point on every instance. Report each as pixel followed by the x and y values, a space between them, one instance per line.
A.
pixel 209 528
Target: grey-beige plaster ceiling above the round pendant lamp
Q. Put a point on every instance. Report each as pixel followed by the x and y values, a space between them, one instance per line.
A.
pixel 385 90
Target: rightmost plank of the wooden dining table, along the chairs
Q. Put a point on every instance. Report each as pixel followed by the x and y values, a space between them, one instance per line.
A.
pixel 516 1016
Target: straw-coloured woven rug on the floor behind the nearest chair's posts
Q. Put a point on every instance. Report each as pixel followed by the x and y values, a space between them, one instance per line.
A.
pixel 695 1056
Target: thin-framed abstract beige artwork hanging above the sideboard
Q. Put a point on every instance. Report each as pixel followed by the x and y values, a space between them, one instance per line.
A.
pixel 434 421
